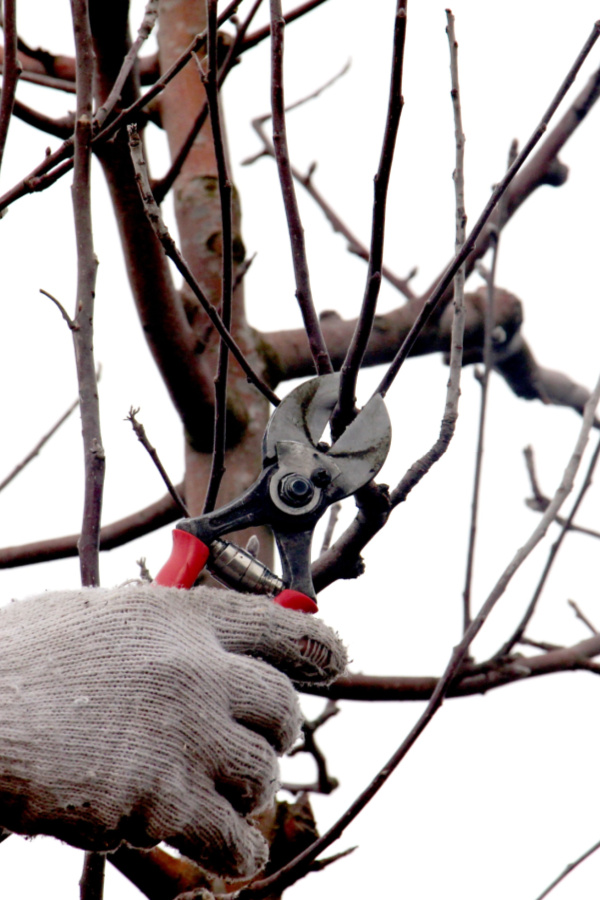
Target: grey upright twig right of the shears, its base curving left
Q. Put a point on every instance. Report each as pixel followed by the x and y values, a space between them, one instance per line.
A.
pixel 448 425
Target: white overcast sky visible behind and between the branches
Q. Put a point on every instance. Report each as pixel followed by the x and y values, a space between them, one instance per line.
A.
pixel 502 791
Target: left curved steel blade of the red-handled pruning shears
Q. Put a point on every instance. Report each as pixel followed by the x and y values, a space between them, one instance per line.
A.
pixel 303 414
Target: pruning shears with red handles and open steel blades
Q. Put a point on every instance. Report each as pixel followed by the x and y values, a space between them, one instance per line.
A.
pixel 301 477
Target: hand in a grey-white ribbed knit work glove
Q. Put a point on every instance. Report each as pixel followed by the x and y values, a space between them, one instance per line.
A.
pixel 146 714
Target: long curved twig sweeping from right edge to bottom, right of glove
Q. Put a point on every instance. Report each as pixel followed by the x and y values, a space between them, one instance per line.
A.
pixel 295 869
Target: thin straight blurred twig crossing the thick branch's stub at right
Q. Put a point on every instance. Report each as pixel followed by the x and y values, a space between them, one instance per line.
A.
pixel 485 378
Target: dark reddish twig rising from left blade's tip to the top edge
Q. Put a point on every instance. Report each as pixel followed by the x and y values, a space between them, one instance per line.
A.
pixel 316 341
